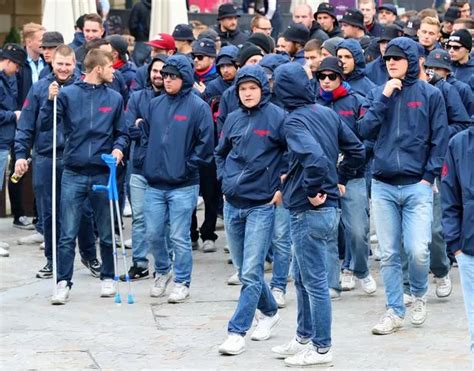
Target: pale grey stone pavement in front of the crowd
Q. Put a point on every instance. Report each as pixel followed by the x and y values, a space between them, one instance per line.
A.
pixel 94 333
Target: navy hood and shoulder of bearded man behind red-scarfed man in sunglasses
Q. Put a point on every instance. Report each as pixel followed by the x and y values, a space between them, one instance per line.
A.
pixel 359 82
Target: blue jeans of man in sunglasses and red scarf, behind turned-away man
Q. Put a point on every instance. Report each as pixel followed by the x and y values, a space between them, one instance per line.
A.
pixel 355 217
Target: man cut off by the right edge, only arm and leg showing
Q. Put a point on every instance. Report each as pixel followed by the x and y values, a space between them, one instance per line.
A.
pixel 457 201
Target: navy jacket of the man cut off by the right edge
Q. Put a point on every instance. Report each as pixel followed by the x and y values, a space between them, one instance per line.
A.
pixel 457 193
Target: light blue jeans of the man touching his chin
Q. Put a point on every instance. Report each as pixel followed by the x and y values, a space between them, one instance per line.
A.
pixel 403 212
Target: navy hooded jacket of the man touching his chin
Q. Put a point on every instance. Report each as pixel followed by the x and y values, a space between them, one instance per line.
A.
pixel 410 128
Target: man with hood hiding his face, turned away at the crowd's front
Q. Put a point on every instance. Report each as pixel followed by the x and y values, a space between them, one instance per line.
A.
pixel 315 136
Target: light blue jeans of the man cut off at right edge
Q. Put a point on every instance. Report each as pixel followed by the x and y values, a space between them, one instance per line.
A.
pixel 466 272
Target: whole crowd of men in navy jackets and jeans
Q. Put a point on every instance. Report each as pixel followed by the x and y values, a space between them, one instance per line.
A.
pixel 289 140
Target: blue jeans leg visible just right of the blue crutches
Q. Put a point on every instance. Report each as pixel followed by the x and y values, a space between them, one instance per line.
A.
pixel 140 249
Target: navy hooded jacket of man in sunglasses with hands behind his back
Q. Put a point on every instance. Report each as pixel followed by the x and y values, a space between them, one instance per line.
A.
pixel 177 134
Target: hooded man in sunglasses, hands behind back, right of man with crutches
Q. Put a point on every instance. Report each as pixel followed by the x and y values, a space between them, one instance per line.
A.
pixel 178 139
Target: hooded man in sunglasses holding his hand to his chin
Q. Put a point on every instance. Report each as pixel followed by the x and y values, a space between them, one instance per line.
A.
pixel 407 119
